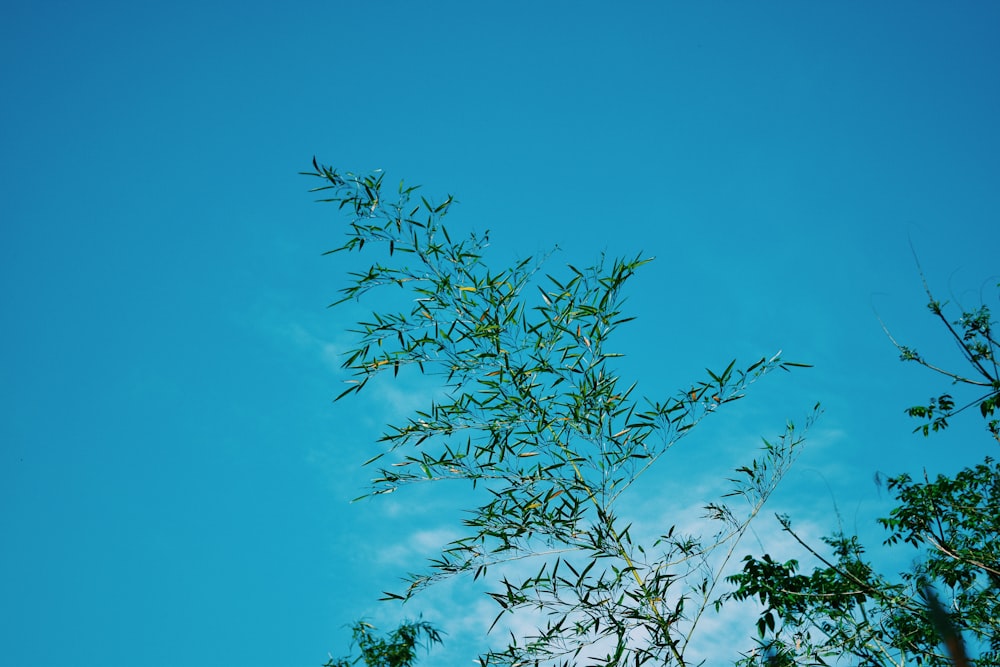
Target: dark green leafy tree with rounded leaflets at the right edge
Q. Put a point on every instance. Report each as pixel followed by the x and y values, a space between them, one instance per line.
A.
pixel 845 610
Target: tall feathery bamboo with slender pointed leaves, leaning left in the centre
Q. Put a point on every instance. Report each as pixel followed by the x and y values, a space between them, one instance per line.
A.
pixel 533 417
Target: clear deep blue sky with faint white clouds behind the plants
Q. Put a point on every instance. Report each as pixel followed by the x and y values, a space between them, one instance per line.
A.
pixel 174 480
